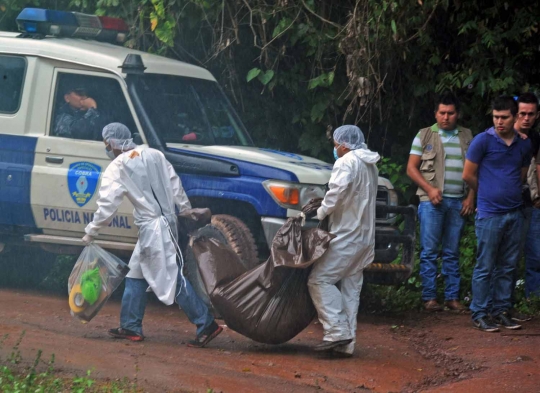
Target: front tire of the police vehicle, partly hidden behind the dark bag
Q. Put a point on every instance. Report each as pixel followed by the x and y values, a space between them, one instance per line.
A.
pixel 228 230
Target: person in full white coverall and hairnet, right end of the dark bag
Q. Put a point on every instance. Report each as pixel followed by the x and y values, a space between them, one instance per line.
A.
pixel 349 205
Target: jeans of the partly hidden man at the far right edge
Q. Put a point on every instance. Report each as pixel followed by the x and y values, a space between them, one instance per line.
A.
pixel 532 256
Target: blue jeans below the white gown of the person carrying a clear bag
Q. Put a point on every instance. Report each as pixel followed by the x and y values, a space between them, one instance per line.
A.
pixel 134 304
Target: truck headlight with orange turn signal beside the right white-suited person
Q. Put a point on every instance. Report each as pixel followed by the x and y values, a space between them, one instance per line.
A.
pixel 291 195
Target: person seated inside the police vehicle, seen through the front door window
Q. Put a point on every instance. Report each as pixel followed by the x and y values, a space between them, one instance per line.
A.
pixel 78 117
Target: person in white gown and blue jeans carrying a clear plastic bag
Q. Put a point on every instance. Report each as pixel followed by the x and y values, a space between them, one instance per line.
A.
pixel 148 180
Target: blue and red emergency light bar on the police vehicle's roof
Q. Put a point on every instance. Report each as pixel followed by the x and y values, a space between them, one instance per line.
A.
pixel 43 22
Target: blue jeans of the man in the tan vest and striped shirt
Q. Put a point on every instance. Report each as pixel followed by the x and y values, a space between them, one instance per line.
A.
pixel 440 226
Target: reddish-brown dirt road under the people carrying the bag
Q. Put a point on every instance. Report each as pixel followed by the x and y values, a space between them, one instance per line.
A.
pixel 435 353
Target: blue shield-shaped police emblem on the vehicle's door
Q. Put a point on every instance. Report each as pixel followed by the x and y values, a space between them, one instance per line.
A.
pixel 83 178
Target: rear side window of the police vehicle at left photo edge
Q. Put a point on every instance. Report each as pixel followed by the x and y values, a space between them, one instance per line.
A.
pixel 12 70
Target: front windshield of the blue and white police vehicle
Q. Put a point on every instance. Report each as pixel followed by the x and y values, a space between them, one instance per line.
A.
pixel 190 111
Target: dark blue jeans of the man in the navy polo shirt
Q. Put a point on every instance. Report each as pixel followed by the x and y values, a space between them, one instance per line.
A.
pixel 498 240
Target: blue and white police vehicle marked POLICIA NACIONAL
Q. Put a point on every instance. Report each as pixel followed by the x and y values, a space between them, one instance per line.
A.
pixel 49 178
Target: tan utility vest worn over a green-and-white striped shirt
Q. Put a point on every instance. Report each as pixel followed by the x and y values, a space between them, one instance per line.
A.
pixel 433 158
